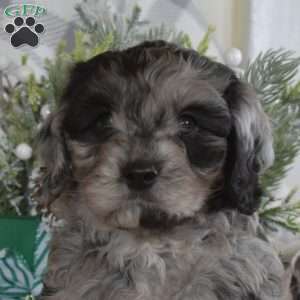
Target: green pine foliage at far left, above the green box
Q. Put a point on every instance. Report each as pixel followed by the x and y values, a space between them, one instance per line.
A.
pixel 20 105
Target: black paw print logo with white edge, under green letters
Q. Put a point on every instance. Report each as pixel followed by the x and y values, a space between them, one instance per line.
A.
pixel 24 33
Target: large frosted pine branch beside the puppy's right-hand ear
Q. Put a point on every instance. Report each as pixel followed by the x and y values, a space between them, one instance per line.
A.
pixel 273 74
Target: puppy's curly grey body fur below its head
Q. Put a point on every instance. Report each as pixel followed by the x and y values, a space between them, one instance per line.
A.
pixel 217 257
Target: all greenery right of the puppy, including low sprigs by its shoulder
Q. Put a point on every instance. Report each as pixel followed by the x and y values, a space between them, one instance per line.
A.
pixel 273 75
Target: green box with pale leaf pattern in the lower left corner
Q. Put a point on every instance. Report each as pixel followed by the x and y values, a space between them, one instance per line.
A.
pixel 23 257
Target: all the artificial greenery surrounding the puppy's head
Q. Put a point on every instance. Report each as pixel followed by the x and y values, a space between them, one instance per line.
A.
pixel 272 74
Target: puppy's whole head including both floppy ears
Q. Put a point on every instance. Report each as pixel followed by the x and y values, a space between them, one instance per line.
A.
pixel 154 134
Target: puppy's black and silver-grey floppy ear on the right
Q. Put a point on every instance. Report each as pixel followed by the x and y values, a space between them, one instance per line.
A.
pixel 250 147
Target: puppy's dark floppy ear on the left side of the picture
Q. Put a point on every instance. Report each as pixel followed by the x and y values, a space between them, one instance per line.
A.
pixel 54 157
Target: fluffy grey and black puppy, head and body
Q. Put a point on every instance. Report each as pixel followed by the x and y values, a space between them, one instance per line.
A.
pixel 148 150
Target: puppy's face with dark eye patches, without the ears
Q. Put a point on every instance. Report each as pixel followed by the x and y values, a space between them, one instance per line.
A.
pixel 149 144
